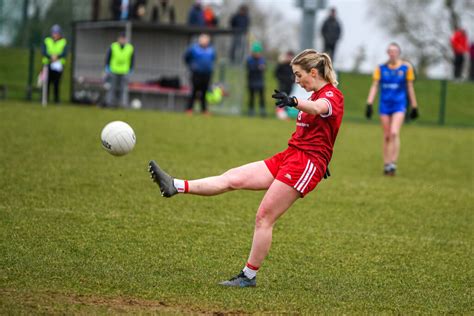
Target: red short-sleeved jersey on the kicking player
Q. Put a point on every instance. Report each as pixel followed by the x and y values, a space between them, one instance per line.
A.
pixel 316 134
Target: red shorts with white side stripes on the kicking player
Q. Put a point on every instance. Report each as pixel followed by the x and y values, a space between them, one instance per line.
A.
pixel 294 168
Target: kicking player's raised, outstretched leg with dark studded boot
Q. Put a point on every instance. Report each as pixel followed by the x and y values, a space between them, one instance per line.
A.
pixel 252 176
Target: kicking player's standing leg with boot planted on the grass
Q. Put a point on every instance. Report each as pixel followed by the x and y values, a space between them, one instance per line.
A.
pixel 275 203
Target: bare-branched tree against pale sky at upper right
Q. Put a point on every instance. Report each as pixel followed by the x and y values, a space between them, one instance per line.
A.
pixel 424 25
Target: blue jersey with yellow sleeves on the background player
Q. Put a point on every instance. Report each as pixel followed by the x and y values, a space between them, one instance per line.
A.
pixel 393 83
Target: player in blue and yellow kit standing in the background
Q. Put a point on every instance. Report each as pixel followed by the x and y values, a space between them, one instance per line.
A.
pixel 395 79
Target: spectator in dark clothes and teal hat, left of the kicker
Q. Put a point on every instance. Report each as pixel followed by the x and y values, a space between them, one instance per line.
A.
pixel 255 77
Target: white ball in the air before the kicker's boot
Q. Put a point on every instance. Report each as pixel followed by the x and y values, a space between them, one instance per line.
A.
pixel 118 138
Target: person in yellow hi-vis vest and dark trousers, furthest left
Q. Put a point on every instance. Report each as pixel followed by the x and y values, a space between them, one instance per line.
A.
pixel 54 56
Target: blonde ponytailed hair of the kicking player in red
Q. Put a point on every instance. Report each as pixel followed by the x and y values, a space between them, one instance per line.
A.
pixel 310 58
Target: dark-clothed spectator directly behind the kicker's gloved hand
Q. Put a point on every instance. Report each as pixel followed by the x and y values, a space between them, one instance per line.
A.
pixel 286 78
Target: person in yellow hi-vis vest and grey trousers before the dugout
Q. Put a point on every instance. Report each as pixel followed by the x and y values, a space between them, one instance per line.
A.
pixel 118 66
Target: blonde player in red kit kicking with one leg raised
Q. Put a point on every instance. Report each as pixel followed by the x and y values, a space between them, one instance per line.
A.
pixel 288 175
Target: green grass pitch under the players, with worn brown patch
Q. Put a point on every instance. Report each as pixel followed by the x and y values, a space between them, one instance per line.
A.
pixel 82 231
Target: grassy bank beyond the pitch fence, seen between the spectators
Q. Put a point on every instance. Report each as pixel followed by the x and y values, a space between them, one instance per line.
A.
pixel 459 102
